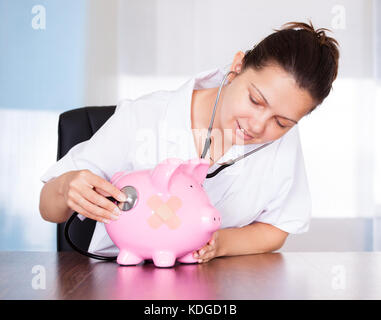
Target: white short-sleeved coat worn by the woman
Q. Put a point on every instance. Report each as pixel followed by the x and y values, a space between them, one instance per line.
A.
pixel 269 186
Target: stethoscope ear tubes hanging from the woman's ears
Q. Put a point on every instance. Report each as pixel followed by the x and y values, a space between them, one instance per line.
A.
pixel 208 139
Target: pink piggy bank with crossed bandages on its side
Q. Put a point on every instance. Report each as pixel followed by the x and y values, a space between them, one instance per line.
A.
pixel 167 215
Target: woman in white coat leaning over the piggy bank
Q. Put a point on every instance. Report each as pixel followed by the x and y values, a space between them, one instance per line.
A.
pixel 263 197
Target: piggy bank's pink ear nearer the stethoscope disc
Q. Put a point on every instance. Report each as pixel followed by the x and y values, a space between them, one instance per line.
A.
pixel 162 173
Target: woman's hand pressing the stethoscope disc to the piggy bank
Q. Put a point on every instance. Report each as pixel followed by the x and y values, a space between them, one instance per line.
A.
pixel 85 193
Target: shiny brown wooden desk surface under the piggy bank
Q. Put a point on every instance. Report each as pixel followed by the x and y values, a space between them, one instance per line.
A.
pixel 289 275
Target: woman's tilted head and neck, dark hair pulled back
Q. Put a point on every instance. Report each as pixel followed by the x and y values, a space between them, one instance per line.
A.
pixel 275 84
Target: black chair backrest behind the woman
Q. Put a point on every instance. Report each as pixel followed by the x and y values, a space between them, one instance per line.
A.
pixel 75 126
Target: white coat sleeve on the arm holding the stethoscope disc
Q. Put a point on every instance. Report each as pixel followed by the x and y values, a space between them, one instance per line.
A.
pixel 105 153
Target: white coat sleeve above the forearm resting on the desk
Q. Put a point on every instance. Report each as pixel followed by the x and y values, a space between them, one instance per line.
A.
pixel 290 207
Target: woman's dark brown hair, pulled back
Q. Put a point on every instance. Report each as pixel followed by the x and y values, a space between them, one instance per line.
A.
pixel 309 55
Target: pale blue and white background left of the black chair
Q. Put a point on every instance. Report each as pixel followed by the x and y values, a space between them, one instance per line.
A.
pixel 40 69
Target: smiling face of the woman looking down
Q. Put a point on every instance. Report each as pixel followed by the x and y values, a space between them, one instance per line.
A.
pixel 265 103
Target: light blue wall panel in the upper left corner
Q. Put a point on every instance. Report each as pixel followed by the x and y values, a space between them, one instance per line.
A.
pixel 42 69
